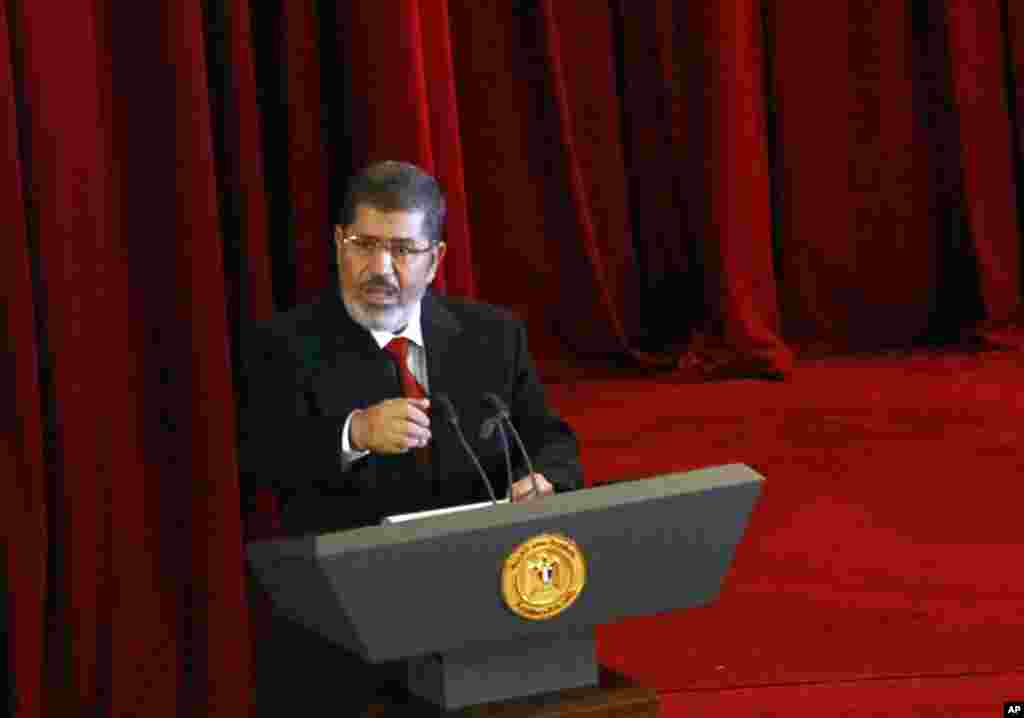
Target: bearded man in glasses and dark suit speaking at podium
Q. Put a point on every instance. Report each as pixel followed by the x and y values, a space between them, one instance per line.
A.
pixel 343 428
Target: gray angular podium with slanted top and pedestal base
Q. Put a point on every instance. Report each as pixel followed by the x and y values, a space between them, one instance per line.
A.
pixel 430 590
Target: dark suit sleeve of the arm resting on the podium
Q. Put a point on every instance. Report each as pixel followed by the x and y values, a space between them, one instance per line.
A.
pixel 550 441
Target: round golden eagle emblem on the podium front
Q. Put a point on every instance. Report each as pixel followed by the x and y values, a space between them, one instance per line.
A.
pixel 543 577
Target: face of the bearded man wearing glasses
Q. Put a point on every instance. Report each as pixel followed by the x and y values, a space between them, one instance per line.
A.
pixel 379 290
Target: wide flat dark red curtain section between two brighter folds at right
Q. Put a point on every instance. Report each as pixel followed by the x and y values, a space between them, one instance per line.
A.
pixel 855 201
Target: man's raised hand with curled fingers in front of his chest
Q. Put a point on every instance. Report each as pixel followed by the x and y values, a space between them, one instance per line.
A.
pixel 393 427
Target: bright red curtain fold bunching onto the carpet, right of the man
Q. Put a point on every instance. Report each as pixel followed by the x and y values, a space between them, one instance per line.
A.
pixel 740 274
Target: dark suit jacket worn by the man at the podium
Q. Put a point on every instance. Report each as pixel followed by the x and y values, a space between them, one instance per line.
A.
pixel 306 370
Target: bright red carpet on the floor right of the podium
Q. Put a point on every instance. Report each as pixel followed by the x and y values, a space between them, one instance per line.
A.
pixel 882 571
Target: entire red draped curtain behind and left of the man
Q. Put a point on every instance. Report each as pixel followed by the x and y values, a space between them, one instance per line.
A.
pixel 710 189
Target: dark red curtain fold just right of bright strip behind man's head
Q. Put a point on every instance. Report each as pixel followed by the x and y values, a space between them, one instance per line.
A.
pixel 517 205
